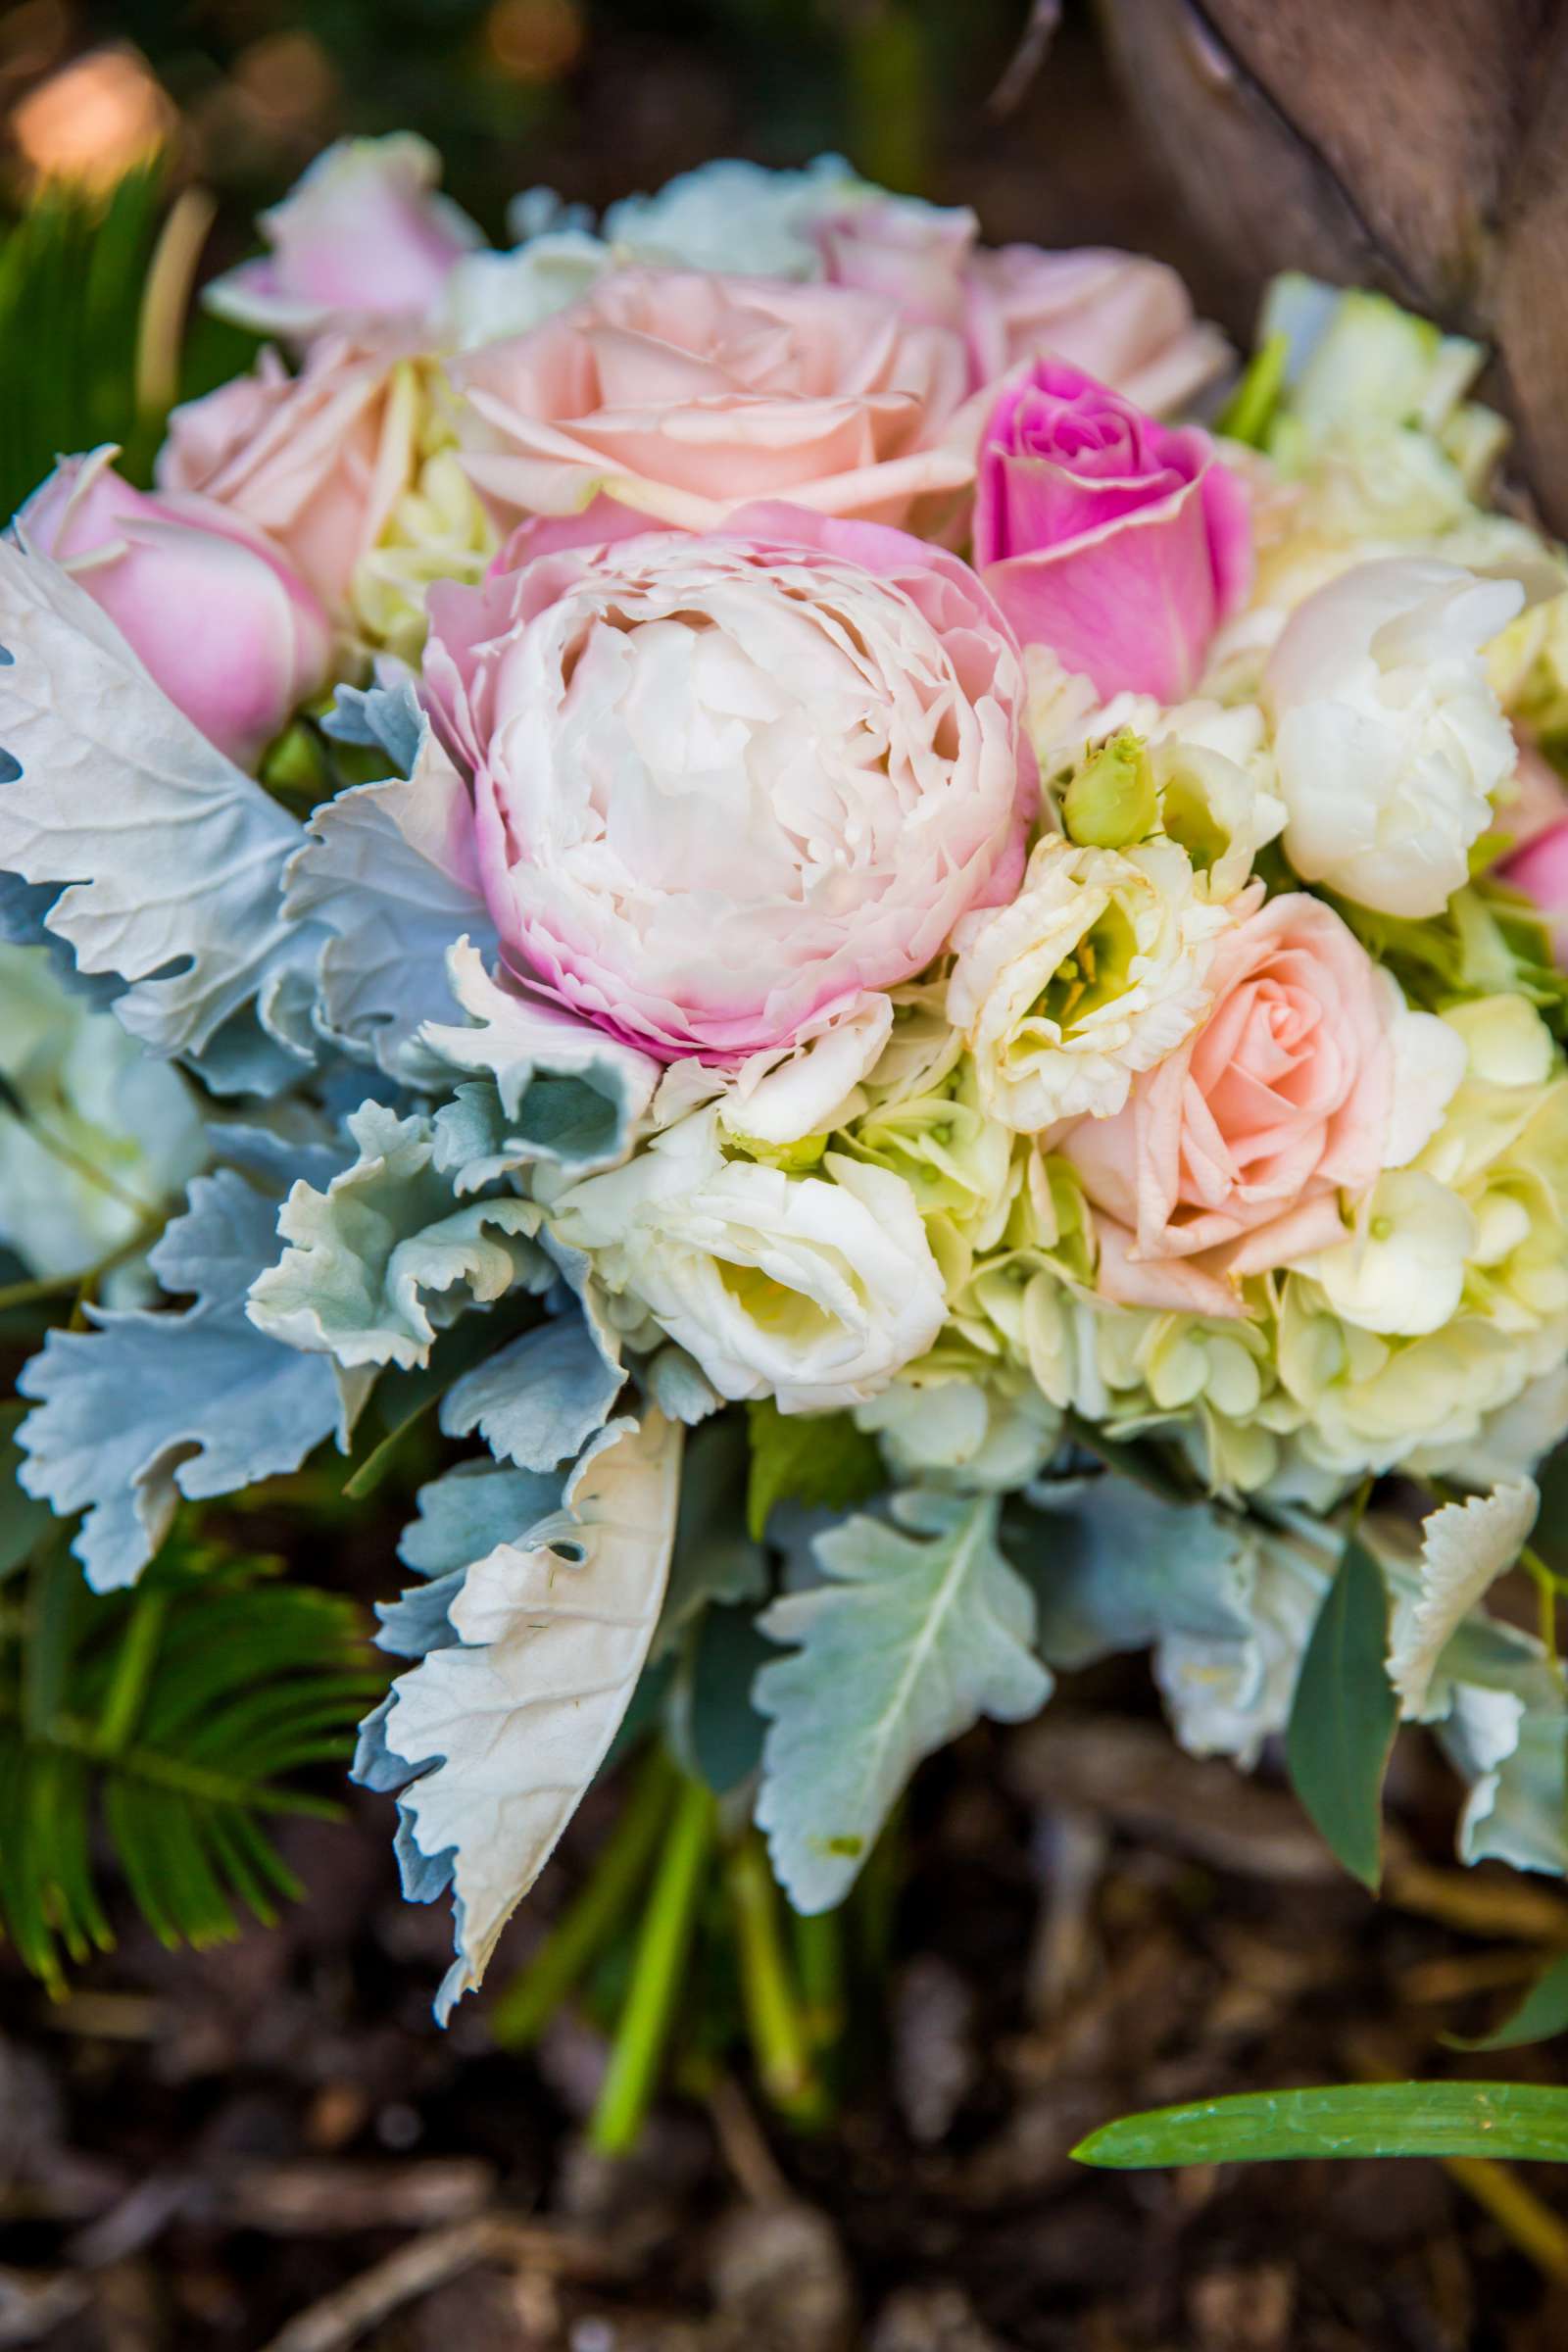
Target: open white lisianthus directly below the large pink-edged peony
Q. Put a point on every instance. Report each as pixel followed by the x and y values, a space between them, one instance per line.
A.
pixel 812 1290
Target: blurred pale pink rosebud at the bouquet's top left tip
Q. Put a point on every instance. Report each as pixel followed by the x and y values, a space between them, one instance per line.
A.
pixel 361 239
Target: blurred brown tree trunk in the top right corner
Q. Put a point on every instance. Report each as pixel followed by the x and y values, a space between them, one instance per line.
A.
pixel 1409 145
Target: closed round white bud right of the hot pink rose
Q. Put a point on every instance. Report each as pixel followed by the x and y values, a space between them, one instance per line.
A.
pixel 1388 735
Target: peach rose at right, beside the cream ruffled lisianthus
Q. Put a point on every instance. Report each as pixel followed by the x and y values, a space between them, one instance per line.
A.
pixel 1231 1156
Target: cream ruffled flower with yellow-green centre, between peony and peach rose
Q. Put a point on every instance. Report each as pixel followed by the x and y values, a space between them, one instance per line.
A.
pixel 1092 975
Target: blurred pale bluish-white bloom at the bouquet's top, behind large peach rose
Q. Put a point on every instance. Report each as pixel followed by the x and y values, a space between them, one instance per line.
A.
pixel 737 218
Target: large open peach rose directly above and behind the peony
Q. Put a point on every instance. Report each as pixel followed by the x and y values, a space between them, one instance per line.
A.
pixel 688 396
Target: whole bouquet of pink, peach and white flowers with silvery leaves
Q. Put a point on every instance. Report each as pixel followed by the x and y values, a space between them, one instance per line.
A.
pixel 913 994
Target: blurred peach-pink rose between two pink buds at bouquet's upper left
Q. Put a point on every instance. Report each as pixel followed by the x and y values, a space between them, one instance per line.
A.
pixel 314 460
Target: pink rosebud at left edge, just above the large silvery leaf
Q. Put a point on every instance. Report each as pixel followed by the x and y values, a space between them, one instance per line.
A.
pixel 213 610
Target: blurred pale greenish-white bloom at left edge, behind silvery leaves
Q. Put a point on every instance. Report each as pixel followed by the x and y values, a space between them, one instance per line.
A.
pixel 107 1137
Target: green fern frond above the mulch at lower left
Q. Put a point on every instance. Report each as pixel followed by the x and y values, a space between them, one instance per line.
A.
pixel 163 1730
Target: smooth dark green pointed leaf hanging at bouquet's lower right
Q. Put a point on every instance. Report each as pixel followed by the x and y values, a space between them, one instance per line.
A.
pixel 1343 1718
